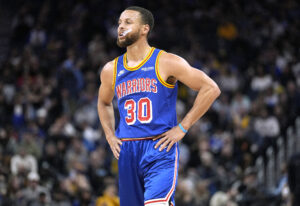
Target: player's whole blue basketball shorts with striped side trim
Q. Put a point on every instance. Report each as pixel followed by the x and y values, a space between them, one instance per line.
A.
pixel 146 175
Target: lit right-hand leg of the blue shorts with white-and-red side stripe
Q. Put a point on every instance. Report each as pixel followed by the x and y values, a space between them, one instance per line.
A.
pixel 160 176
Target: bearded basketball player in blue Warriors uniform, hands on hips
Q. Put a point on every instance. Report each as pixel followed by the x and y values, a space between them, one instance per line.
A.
pixel 144 80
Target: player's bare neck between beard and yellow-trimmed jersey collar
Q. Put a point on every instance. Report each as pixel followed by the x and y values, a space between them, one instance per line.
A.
pixel 138 51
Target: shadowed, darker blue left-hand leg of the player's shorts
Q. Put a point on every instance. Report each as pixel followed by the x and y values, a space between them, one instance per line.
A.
pixel 131 190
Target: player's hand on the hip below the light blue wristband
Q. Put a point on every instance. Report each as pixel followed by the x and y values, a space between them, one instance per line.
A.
pixel 169 138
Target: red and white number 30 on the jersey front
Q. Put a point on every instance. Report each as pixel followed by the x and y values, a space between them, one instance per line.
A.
pixel 142 109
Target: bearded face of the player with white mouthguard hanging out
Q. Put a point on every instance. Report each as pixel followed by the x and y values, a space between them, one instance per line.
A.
pixel 129 28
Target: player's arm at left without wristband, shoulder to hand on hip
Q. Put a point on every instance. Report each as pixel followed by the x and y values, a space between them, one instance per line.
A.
pixel 105 108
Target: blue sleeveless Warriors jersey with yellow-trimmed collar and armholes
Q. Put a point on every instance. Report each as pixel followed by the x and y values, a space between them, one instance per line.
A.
pixel 147 104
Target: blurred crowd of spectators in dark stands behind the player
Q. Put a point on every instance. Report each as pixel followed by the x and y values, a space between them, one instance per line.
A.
pixel 52 148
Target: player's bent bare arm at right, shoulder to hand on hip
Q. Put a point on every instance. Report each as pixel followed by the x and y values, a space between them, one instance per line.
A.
pixel 171 65
